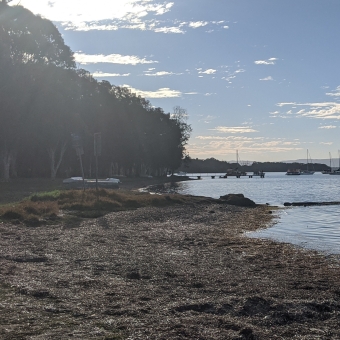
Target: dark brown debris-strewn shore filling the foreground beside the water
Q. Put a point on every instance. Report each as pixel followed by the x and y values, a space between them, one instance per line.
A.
pixel 181 272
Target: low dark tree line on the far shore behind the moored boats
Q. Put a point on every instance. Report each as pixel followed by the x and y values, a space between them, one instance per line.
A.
pixel 212 165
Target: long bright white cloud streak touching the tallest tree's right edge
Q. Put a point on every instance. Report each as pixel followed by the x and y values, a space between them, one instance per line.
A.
pixel 85 59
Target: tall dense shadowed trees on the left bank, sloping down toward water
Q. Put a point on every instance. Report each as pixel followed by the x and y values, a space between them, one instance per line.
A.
pixel 44 99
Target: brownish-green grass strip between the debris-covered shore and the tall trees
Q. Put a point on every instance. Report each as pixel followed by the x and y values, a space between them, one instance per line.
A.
pixel 45 206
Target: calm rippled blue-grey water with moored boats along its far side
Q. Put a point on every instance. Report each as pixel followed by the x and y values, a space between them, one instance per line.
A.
pixel 316 227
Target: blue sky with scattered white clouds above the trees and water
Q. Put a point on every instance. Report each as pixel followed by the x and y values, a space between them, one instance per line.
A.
pixel 261 77
